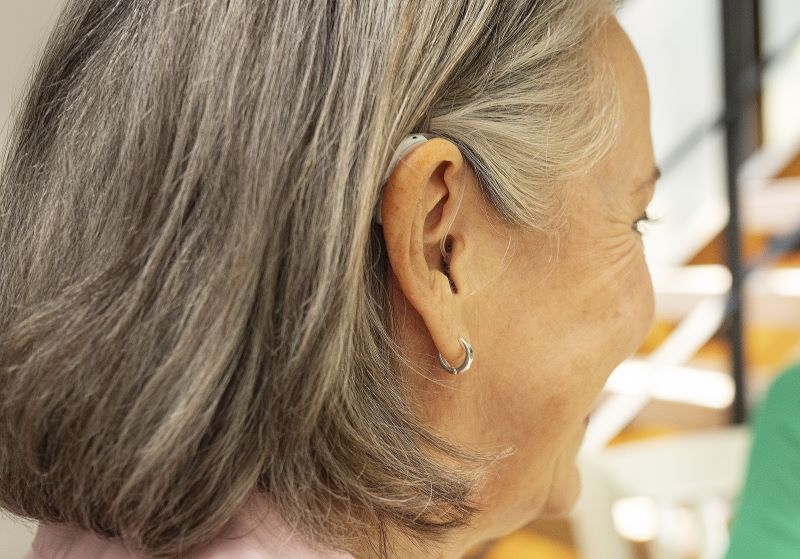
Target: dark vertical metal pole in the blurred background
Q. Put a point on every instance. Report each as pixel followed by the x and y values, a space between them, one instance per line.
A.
pixel 741 51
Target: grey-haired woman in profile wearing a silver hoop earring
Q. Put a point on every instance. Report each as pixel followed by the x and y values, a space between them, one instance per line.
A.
pixel 208 345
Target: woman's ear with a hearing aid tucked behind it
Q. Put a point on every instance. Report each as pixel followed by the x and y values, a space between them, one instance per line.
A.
pixel 420 200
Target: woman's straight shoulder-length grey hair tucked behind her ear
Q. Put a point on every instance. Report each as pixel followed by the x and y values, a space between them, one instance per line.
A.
pixel 192 293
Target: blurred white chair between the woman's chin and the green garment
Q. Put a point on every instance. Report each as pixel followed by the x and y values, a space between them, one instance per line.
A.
pixel 651 485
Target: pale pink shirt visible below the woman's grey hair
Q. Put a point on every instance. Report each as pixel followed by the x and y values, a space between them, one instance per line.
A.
pixel 256 533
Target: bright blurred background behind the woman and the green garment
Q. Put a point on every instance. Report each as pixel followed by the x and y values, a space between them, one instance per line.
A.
pixel 666 450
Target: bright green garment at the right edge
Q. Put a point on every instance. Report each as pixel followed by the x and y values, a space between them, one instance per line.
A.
pixel 767 522
